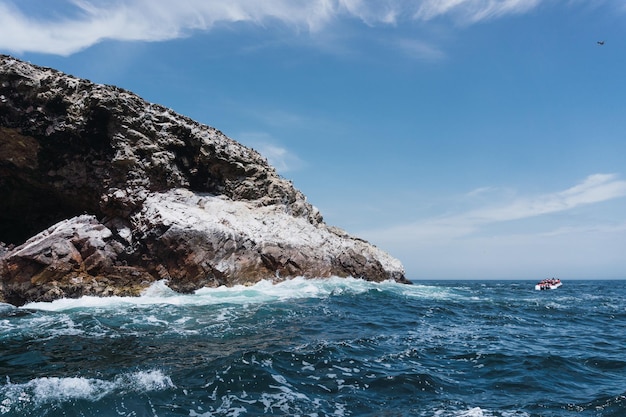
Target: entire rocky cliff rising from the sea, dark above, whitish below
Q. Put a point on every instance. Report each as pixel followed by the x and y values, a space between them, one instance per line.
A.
pixel 103 193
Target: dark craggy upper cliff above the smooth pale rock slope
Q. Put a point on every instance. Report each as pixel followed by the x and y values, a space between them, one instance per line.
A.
pixel 82 147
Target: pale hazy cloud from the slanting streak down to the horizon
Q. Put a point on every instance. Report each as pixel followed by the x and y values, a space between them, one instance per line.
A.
pixel 524 237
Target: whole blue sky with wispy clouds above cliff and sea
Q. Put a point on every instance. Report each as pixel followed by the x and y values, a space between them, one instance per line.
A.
pixel 468 138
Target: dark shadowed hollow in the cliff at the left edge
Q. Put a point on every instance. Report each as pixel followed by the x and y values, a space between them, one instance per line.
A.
pixel 36 190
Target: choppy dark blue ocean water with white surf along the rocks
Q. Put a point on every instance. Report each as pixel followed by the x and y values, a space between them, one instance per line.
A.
pixel 335 347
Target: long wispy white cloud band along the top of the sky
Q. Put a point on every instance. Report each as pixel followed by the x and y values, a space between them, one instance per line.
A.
pixel 89 22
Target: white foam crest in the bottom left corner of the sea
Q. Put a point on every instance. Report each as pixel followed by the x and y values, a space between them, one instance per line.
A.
pixel 53 390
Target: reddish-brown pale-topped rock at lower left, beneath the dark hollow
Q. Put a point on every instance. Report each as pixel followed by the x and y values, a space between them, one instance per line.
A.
pixel 75 257
